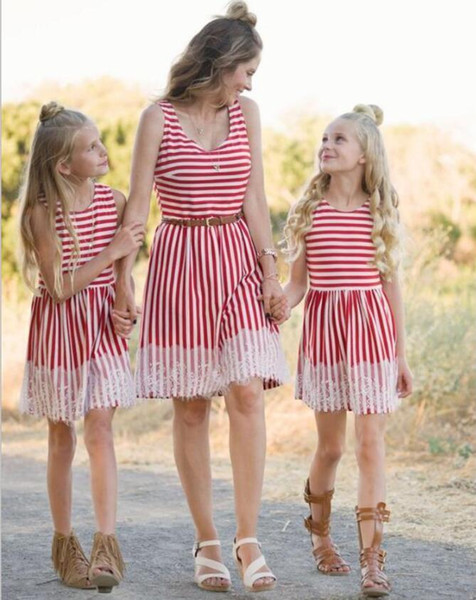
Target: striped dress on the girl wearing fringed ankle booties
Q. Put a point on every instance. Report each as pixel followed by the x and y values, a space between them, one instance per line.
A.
pixel 75 361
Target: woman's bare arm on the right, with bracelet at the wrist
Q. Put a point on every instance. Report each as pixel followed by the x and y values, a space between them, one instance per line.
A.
pixel 255 206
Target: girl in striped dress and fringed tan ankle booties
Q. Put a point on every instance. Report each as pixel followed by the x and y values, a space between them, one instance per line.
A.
pixel 76 365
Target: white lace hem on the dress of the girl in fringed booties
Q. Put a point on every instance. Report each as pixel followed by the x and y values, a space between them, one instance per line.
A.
pixel 64 395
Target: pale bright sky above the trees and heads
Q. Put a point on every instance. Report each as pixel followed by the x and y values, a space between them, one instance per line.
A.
pixel 414 58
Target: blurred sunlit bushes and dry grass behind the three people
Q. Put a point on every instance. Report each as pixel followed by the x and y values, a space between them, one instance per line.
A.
pixel 435 176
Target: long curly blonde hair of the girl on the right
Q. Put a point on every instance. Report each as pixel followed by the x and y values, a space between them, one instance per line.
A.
pixel 383 198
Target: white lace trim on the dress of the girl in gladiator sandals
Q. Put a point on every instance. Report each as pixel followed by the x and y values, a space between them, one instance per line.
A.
pixel 365 388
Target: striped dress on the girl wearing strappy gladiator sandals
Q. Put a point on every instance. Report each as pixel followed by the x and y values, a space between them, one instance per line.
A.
pixel 347 355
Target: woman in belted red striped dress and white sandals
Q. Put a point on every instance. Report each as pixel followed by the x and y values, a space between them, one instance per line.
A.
pixel 206 328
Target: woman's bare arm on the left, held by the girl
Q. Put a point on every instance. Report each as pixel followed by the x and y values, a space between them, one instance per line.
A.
pixel 146 148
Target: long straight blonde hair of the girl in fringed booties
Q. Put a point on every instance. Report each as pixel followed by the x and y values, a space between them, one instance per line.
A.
pixel 52 144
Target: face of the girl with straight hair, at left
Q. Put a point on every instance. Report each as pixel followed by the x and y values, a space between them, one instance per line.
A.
pixel 89 156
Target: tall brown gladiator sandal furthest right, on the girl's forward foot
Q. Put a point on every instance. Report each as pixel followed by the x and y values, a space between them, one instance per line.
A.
pixel 372 559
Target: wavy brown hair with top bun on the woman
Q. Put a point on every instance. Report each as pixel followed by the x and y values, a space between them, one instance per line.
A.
pixel 216 49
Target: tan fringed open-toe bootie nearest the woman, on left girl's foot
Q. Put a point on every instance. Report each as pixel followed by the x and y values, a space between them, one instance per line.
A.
pixel 107 558
